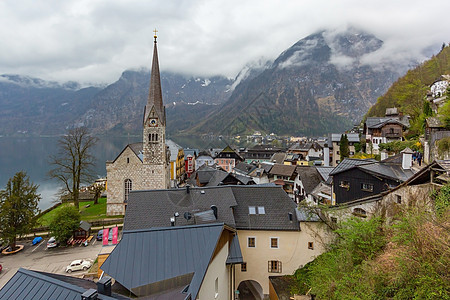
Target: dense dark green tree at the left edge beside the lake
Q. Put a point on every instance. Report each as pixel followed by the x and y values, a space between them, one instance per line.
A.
pixel 18 208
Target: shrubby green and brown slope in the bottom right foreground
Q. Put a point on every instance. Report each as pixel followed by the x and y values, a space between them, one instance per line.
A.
pixel 407 258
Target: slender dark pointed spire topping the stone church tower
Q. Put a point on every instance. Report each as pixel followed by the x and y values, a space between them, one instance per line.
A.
pixel 155 94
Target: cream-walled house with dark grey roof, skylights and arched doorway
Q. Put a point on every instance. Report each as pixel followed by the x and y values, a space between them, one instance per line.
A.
pixel 274 237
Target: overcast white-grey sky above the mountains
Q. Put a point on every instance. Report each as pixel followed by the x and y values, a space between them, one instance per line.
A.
pixel 95 41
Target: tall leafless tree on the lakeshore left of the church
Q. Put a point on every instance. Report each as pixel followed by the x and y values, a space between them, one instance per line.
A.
pixel 73 165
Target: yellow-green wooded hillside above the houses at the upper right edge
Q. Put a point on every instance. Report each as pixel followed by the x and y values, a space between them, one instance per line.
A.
pixel 408 92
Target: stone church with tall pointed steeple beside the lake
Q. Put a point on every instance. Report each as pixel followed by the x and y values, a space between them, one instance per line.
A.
pixel 142 166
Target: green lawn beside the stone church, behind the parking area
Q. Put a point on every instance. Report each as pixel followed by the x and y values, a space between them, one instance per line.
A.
pixel 93 212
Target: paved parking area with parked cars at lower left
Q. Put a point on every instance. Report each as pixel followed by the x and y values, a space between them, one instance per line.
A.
pixel 53 260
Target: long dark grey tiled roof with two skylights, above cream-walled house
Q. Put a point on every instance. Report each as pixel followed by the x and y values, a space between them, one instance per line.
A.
pixel 154 208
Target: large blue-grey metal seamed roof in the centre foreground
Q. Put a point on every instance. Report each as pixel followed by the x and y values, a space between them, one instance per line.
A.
pixel 145 257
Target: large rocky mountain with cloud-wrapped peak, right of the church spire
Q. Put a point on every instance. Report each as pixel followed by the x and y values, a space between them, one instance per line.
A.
pixel 317 86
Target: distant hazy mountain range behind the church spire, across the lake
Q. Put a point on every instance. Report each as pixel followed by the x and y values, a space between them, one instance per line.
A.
pixel 33 106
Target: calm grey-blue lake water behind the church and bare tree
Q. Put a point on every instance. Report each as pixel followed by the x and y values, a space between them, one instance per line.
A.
pixel 32 156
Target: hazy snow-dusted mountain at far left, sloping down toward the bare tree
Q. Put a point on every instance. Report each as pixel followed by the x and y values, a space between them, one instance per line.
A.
pixel 34 106
